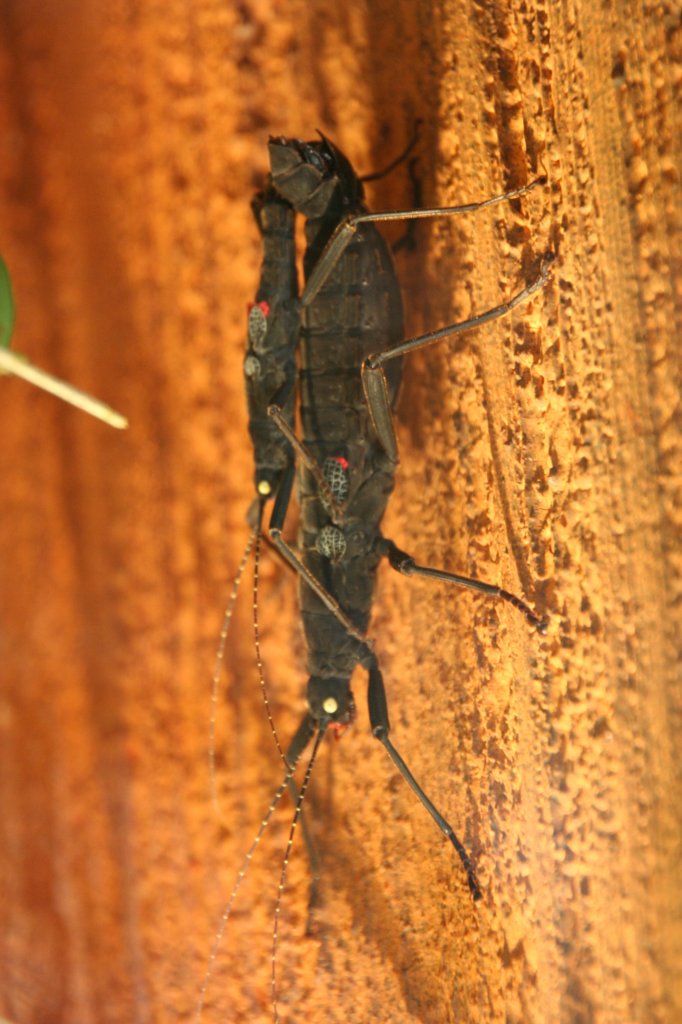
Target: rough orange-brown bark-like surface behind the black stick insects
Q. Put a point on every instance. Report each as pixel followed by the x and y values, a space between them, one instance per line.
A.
pixel 541 452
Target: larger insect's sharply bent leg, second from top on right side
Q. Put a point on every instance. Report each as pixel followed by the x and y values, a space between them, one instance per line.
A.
pixel 374 380
